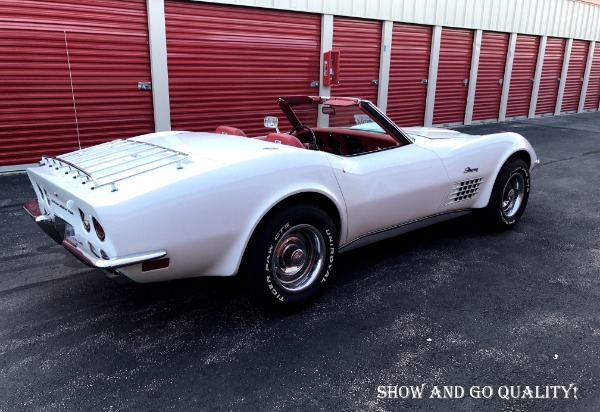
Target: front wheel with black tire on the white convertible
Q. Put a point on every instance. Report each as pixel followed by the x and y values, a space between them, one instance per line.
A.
pixel 509 196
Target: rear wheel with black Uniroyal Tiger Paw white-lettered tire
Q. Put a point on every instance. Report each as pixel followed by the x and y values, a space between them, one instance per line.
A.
pixel 291 256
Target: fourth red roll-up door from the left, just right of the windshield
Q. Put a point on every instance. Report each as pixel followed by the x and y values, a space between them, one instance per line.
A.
pixel 407 92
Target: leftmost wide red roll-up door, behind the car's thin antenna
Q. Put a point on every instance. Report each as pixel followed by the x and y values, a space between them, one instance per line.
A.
pixel 69 73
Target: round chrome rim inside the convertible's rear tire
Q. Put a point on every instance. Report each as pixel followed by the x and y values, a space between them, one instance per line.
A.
pixel 298 258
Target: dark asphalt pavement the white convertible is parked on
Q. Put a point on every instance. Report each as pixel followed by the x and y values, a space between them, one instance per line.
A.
pixel 476 317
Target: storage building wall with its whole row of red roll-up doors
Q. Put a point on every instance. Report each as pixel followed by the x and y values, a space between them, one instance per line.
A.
pixel 225 59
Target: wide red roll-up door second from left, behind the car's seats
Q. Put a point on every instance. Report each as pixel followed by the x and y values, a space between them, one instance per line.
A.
pixel 228 65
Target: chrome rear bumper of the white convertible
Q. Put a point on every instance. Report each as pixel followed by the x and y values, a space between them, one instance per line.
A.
pixel 81 249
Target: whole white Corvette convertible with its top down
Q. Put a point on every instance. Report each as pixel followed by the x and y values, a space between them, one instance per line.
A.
pixel 277 208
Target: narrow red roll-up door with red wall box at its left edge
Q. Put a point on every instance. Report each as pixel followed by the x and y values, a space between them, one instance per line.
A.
pixel 359 42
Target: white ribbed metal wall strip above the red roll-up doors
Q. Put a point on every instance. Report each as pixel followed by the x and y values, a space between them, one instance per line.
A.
pixel 556 18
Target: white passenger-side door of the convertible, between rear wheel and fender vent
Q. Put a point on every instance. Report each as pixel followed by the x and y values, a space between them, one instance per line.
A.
pixel 389 188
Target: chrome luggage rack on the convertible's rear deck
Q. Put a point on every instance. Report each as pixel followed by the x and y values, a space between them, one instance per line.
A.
pixel 111 162
